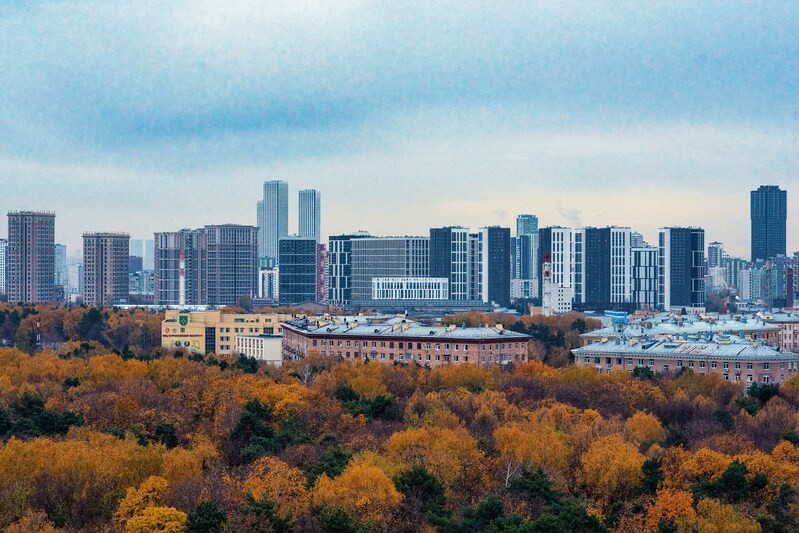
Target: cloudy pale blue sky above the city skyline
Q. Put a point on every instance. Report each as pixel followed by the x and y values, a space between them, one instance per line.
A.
pixel 154 116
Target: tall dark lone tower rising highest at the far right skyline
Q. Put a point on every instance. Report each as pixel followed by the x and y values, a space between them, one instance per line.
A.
pixel 768 212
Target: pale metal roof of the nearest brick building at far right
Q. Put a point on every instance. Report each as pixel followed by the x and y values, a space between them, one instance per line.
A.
pixel 710 346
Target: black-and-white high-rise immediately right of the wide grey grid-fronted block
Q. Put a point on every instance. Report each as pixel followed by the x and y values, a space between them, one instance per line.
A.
pixel 449 258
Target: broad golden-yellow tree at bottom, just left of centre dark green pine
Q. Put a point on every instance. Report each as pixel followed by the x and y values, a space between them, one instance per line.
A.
pixel 362 489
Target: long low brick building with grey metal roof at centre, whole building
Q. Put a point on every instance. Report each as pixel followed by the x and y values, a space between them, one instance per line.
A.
pixel 400 340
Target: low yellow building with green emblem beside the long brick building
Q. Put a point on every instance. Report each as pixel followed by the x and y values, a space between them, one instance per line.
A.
pixel 215 332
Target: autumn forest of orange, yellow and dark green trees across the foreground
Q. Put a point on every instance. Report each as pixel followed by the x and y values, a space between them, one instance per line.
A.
pixel 103 430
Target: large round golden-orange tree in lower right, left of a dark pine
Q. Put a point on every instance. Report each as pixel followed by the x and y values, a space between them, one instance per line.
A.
pixel 611 468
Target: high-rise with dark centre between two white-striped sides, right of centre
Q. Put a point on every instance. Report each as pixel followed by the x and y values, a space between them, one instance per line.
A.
pixel 603 274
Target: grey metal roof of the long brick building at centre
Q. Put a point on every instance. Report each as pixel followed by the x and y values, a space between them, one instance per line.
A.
pixel 361 326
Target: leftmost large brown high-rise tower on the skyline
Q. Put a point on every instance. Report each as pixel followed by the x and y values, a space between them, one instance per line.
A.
pixel 31 257
